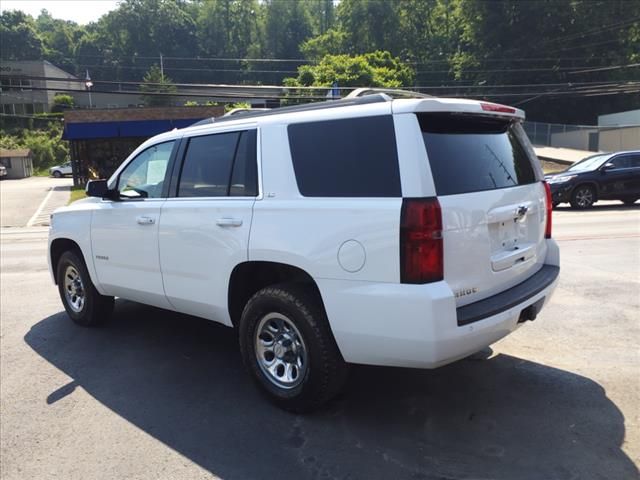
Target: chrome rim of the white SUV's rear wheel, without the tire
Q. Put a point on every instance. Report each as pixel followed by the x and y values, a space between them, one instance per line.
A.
pixel 280 351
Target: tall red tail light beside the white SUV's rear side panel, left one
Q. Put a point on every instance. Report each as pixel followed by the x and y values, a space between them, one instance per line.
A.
pixel 421 249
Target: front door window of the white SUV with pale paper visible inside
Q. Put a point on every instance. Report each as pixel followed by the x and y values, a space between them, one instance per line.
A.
pixel 144 176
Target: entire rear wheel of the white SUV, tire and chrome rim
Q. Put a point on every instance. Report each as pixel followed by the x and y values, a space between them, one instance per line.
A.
pixel 288 348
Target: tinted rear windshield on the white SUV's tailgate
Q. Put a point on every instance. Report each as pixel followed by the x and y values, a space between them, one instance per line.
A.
pixel 475 153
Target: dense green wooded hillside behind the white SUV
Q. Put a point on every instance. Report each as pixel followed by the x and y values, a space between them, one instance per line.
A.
pixel 455 47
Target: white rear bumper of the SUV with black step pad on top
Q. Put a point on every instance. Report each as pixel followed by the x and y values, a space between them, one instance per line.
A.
pixel 417 325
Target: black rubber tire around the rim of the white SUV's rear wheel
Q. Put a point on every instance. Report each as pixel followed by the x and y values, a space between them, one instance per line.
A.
pixel 325 370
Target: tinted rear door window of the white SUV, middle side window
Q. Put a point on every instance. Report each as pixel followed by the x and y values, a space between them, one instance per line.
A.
pixel 220 165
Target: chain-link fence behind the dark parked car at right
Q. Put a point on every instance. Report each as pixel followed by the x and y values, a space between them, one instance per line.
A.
pixel 584 137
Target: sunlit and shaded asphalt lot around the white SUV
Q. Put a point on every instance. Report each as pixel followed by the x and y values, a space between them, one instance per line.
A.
pixel 156 395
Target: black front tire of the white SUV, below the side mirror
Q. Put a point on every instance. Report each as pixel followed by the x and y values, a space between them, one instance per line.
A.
pixel 95 308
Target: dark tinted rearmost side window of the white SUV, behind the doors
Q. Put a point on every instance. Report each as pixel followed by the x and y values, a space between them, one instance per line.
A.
pixel 353 157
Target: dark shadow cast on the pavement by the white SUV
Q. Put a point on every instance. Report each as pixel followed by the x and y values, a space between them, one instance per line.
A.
pixel 180 379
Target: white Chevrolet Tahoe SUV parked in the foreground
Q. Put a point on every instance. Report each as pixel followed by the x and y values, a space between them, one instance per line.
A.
pixel 408 232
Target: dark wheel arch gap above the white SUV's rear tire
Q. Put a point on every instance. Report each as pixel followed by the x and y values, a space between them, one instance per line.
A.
pixel 249 277
